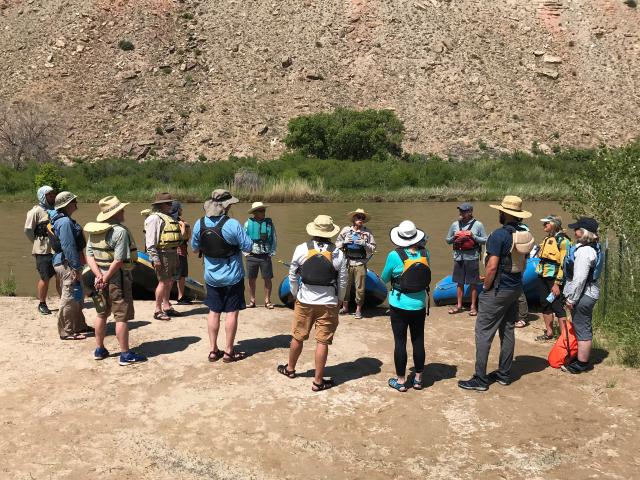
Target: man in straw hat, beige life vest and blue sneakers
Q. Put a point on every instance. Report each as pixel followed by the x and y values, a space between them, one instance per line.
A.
pixel 111 255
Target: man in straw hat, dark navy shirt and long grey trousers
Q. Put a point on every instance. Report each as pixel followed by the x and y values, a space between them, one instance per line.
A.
pixel 507 250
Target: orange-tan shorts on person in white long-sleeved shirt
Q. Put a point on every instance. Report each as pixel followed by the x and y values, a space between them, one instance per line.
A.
pixel 325 318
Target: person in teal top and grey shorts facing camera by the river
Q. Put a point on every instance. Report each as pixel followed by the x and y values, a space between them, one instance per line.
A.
pixel 262 232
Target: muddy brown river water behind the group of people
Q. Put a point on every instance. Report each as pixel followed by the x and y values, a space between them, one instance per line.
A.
pixel 290 221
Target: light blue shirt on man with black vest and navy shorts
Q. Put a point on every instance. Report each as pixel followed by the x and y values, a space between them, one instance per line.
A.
pixel 222 272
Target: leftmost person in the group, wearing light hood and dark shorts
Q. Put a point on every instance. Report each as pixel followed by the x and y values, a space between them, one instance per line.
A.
pixel 35 228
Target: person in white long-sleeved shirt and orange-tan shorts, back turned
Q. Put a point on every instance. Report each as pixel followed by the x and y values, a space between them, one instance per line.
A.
pixel 322 271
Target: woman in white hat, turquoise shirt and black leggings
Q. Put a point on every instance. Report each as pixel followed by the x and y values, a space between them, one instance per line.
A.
pixel 407 268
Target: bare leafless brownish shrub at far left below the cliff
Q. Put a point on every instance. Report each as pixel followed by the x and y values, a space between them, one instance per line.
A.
pixel 26 134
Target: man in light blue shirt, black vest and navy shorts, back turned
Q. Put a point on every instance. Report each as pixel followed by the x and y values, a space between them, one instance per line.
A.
pixel 221 240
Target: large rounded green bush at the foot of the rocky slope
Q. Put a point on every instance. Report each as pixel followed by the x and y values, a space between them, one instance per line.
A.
pixel 347 134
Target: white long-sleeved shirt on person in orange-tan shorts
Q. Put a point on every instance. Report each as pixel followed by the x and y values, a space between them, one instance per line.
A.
pixel 318 294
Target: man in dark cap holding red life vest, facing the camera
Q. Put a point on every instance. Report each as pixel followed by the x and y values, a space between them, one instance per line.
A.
pixel 467 235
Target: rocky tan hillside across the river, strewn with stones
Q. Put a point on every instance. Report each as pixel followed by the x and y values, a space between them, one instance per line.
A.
pixel 221 77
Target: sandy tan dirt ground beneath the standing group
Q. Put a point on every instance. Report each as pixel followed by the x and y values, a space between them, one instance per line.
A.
pixel 66 416
